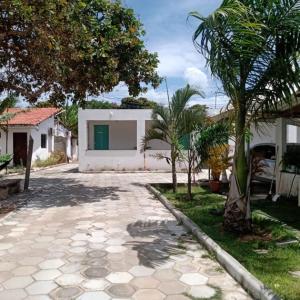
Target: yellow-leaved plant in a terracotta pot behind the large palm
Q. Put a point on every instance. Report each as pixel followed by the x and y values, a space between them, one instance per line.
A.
pixel 217 162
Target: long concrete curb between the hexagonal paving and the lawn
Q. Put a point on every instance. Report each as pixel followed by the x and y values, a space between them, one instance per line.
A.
pixel 250 283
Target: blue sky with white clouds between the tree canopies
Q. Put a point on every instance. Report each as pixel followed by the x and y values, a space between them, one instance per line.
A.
pixel 169 33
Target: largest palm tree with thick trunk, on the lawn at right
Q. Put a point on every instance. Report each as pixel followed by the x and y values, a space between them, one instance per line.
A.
pixel 252 47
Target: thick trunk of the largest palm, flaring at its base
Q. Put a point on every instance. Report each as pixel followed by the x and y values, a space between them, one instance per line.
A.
pixel 237 216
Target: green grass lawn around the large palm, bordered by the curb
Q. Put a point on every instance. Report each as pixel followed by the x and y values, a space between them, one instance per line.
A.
pixel 272 266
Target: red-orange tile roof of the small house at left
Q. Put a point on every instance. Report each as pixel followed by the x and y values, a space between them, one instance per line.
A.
pixel 31 116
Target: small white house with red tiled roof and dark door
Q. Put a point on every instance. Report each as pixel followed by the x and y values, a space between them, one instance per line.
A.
pixel 42 125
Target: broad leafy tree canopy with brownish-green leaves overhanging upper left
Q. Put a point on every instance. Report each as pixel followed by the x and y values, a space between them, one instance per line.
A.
pixel 72 49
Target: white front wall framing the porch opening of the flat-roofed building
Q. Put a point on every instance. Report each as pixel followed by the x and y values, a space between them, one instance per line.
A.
pixel 98 160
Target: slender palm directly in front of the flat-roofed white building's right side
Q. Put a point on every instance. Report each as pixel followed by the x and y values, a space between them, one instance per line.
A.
pixel 168 126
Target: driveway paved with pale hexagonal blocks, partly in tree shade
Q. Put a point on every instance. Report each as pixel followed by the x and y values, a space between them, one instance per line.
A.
pixel 102 236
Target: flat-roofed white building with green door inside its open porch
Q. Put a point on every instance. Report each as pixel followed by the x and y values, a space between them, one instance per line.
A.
pixel 111 139
